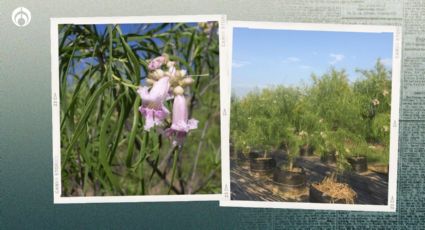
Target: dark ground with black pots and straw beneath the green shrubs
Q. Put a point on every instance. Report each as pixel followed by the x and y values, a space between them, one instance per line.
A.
pixel 310 180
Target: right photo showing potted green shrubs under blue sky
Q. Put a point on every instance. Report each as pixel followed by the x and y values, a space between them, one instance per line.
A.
pixel 310 118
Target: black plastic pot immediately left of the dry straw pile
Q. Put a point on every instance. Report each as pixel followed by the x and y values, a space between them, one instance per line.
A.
pixel 288 181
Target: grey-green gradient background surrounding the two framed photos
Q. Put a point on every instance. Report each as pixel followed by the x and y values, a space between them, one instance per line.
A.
pixel 26 188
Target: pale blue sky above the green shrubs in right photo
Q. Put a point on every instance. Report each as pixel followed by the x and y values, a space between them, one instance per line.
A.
pixel 264 57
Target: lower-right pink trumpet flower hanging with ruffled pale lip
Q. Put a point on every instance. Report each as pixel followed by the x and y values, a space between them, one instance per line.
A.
pixel 180 125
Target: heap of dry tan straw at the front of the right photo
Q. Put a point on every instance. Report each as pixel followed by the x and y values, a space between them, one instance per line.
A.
pixel 331 191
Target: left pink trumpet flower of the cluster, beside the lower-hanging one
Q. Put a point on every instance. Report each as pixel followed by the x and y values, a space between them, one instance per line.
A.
pixel 153 108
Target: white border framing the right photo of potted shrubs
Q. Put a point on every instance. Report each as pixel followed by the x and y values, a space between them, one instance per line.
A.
pixel 394 131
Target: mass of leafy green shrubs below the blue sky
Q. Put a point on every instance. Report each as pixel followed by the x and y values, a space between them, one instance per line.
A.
pixel 333 116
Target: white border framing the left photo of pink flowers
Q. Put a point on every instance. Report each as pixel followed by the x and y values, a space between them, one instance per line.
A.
pixel 56 150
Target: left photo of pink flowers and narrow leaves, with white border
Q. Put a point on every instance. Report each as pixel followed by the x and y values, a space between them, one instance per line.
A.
pixel 136 108
